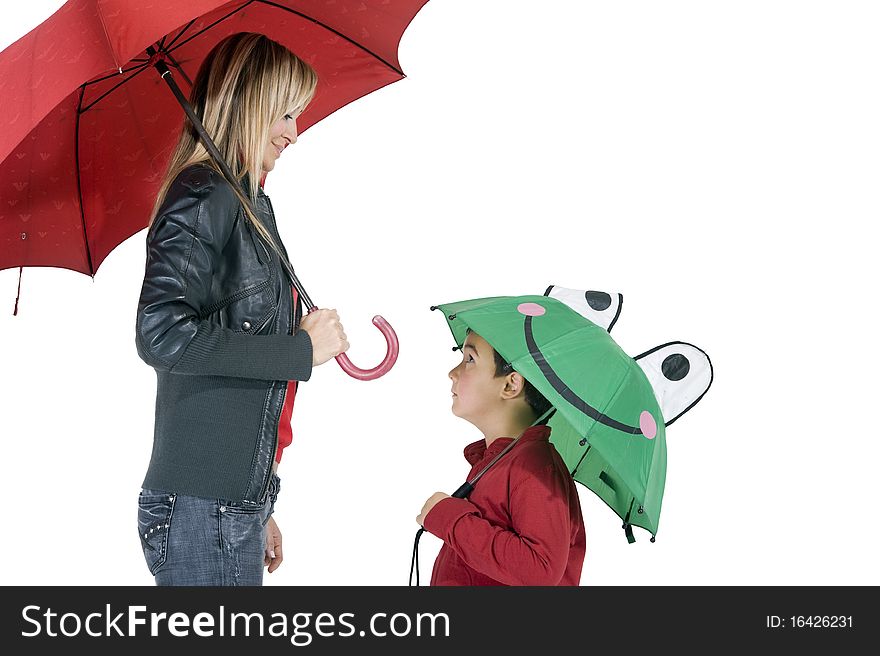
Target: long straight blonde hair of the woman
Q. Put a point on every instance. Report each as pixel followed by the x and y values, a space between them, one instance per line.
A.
pixel 245 84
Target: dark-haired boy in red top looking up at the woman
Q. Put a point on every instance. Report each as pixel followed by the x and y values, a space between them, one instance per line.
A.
pixel 521 524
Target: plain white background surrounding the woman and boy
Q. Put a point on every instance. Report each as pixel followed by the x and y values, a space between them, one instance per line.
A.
pixel 717 163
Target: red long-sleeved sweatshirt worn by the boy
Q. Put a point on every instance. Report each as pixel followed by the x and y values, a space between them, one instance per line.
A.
pixel 522 523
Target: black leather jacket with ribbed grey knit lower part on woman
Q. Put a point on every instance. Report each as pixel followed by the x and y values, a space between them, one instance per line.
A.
pixel 216 321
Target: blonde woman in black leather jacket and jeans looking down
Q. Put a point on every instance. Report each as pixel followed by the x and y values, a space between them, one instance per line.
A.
pixel 223 328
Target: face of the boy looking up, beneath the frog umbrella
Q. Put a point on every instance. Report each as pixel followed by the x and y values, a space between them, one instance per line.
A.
pixel 475 389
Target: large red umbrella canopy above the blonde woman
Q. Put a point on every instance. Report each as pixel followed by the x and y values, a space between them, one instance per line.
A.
pixel 88 124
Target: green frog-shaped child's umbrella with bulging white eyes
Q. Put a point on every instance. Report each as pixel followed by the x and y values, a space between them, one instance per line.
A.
pixel 611 409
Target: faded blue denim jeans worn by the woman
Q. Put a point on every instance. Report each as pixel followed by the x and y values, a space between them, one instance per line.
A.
pixel 194 541
